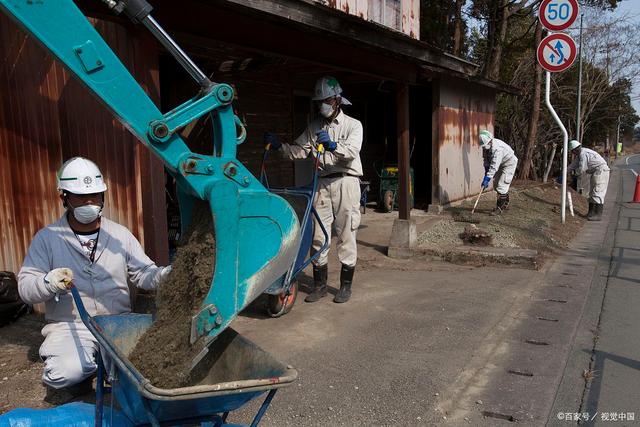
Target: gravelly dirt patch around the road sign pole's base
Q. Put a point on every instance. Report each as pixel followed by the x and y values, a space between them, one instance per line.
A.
pixel 532 221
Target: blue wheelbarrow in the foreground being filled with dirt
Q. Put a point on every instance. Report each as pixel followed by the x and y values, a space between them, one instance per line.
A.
pixel 234 372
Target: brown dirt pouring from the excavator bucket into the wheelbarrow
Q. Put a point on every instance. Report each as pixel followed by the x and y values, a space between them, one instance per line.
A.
pixel 163 354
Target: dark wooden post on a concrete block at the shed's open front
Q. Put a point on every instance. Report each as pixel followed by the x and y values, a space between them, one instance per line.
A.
pixel 403 150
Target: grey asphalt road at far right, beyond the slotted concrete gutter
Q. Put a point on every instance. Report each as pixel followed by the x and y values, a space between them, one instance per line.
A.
pixel 607 346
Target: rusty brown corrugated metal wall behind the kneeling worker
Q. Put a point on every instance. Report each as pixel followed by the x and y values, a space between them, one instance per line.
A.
pixel 46 117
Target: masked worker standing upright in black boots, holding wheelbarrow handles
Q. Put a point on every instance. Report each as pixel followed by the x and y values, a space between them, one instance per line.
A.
pixel 338 199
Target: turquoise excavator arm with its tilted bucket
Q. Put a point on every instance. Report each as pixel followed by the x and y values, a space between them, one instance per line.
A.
pixel 257 232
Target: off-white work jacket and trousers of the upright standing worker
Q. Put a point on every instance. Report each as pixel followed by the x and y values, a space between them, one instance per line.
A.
pixel 338 198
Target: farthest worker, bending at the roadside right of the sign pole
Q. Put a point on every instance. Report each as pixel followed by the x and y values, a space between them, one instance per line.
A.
pixel 587 160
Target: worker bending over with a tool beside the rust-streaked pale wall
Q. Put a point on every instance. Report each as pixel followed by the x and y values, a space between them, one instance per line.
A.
pixel 500 163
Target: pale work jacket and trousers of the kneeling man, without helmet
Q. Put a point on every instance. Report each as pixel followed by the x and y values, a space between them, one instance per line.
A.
pixel 69 348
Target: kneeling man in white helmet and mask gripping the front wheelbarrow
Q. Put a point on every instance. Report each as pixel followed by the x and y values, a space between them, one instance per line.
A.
pixel 97 256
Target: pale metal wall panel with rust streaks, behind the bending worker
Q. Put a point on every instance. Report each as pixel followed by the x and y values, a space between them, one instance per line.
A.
pixel 462 110
